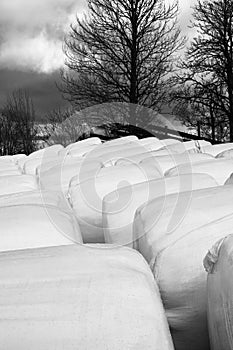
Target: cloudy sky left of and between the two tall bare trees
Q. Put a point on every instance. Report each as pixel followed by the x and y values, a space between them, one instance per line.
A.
pixel 31 36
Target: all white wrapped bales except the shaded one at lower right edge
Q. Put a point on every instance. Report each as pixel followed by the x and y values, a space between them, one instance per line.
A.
pixel 106 242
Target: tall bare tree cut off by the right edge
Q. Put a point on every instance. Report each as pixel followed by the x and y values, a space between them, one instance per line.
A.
pixel 207 79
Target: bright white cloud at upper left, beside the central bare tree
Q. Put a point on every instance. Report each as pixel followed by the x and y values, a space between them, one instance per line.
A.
pixel 33 33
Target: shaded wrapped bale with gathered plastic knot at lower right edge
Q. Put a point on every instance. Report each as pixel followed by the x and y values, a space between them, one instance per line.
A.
pixel 218 263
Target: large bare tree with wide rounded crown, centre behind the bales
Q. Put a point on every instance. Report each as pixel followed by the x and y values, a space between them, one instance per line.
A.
pixel 122 51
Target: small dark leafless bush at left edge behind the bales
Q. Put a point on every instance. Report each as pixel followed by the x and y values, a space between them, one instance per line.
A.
pixel 17 128
